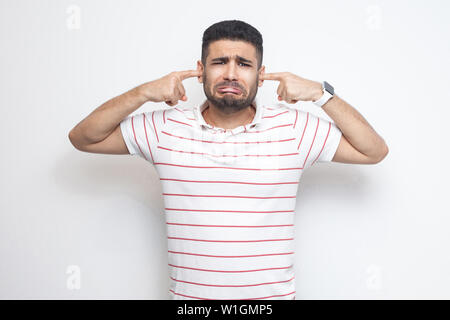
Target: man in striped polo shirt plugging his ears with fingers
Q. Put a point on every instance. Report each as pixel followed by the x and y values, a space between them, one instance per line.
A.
pixel 230 167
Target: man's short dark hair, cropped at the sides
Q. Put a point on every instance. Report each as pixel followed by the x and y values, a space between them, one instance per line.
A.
pixel 232 30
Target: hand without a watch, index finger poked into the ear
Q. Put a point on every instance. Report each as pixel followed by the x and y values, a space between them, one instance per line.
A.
pixel 168 88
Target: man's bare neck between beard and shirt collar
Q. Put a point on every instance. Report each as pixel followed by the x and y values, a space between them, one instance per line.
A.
pixel 218 118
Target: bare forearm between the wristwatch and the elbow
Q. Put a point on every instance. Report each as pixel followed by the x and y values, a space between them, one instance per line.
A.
pixel 355 128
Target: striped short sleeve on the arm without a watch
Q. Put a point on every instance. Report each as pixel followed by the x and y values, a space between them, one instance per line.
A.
pixel 140 133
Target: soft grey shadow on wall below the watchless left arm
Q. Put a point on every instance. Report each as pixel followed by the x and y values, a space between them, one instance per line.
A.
pixel 92 175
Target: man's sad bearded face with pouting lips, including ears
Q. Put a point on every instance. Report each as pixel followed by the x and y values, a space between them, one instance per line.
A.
pixel 230 64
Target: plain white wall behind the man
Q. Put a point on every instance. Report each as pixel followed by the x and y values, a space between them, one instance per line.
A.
pixel 77 225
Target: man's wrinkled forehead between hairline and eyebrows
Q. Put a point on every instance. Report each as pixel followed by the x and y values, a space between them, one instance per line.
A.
pixel 231 48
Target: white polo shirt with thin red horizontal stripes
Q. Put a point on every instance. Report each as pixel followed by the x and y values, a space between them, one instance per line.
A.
pixel 230 195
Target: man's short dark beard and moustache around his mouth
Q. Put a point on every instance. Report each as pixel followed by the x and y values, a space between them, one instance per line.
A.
pixel 230 103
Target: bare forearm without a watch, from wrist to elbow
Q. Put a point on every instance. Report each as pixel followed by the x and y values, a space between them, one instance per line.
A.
pixel 102 121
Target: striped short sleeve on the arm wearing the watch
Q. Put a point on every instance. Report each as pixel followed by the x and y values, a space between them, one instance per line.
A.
pixel 318 138
